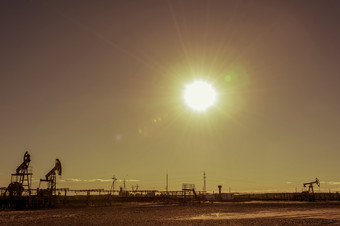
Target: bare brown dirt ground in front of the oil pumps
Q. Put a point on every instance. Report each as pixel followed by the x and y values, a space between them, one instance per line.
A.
pixel 234 213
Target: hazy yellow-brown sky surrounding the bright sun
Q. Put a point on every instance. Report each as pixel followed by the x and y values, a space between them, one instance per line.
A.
pixel 99 84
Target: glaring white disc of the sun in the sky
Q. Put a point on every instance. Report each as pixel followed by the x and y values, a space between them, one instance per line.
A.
pixel 200 95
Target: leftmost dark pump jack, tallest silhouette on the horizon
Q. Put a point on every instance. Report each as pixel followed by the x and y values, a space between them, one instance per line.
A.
pixel 21 180
